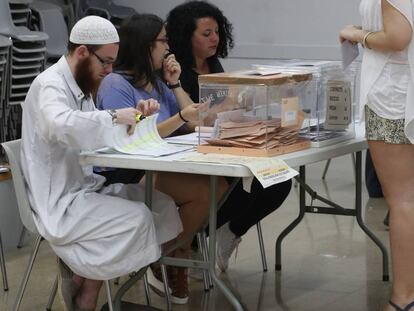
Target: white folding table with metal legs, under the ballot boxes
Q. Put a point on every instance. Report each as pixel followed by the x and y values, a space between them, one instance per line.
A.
pixel 214 170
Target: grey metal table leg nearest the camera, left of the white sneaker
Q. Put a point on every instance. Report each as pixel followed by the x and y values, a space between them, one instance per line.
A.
pixel 212 250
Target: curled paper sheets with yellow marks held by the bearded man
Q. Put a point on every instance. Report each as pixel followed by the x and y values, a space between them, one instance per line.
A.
pixel 145 140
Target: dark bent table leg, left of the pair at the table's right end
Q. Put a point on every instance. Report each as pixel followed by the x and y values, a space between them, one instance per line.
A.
pixel 288 229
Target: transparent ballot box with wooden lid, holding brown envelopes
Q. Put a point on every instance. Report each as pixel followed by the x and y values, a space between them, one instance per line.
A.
pixel 252 114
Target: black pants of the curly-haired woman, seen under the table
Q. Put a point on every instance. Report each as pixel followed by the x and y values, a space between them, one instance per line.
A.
pixel 243 210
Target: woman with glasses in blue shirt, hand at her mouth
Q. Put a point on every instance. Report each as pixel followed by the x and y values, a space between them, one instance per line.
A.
pixel 143 53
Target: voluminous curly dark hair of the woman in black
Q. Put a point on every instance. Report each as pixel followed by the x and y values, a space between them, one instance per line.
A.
pixel 182 22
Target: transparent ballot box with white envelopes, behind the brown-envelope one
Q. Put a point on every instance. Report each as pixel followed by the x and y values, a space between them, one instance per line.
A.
pixel 332 99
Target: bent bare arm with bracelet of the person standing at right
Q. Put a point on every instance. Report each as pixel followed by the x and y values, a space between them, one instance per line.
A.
pixel 395 36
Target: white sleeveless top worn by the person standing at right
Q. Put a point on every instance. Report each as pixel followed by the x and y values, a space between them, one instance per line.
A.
pixel 386 83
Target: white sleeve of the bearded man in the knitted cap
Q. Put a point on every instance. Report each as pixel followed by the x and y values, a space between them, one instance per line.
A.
pixel 85 130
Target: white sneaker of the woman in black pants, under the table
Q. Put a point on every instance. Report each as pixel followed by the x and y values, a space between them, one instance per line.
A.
pixel 227 242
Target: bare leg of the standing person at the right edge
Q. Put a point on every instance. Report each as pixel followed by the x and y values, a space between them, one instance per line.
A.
pixel 395 168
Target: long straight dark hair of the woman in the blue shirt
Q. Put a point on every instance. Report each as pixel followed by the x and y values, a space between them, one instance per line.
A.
pixel 137 35
